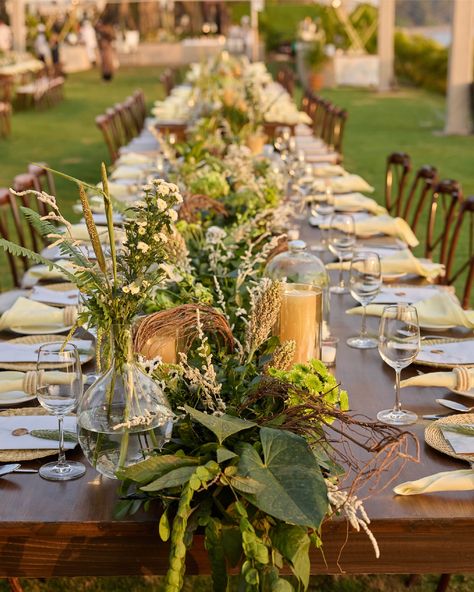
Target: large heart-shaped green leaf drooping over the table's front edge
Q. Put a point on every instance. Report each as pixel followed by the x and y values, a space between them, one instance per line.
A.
pixel 292 487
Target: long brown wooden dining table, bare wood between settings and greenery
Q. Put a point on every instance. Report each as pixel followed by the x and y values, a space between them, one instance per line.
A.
pixel 68 529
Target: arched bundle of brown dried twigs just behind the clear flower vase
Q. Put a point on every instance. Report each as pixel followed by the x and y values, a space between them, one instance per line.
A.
pixel 181 323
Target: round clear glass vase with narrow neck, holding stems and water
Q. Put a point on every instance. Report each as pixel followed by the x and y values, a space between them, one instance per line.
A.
pixel 124 415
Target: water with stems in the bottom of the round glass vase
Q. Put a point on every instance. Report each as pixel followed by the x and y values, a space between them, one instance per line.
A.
pixel 109 445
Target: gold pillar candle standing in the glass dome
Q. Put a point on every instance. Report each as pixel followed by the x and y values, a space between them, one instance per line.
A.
pixel 300 320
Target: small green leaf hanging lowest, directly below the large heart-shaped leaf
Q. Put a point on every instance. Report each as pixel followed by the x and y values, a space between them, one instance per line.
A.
pixel 293 543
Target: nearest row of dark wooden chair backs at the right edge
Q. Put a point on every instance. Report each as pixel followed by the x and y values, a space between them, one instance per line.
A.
pixel 448 233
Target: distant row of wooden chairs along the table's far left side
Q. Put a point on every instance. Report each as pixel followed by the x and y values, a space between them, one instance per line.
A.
pixel 122 122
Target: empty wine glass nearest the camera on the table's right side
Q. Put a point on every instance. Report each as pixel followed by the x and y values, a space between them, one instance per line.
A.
pixel 399 344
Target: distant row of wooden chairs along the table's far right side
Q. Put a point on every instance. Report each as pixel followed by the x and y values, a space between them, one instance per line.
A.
pixel 329 121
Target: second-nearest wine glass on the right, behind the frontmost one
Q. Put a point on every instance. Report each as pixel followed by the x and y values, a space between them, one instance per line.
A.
pixel 365 280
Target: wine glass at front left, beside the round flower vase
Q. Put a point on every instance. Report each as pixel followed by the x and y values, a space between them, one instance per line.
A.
pixel 58 391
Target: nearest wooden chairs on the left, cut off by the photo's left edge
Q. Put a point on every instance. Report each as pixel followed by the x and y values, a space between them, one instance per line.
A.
pixel 14 226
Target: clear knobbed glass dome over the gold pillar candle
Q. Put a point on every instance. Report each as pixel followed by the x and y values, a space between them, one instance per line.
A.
pixel 298 266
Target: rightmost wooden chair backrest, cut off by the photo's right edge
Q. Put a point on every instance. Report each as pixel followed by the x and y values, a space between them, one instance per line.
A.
pixel 460 258
